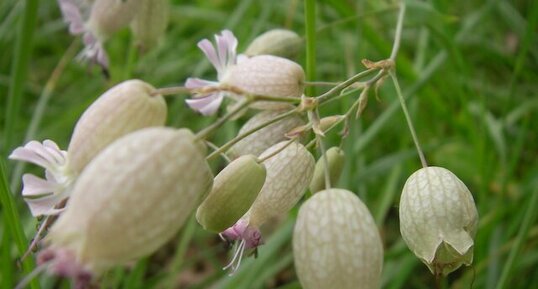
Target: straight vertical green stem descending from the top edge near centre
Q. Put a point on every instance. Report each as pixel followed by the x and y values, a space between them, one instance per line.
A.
pixel 310 32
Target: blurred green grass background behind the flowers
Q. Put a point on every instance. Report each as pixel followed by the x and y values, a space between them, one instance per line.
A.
pixel 468 68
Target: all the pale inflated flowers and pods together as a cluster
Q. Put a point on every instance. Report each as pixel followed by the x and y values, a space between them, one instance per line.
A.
pixel 127 183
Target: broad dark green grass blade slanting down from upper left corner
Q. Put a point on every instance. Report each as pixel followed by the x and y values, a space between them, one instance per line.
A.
pixel 19 70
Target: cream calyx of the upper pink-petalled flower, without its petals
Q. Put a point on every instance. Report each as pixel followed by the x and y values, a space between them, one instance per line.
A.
pixel 267 75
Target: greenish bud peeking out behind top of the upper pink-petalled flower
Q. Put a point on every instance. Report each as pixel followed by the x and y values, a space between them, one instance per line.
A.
pixel 277 42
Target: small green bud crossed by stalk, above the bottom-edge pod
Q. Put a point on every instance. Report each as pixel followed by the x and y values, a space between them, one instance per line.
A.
pixel 335 159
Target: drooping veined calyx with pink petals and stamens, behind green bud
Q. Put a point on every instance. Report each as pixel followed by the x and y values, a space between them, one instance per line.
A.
pixel 288 174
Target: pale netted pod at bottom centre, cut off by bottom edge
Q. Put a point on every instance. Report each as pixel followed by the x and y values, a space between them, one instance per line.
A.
pixel 336 243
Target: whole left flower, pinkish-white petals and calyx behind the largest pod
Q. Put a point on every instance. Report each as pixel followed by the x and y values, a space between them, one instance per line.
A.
pixel 126 107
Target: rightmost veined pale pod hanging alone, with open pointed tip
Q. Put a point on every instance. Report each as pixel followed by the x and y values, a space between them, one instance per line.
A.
pixel 438 219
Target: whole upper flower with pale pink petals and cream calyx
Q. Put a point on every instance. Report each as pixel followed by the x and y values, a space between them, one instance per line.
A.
pixel 239 75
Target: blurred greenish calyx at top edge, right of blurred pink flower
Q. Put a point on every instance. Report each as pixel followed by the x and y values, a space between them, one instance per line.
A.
pixel 150 22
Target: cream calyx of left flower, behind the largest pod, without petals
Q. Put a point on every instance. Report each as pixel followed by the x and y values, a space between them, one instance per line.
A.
pixel 126 107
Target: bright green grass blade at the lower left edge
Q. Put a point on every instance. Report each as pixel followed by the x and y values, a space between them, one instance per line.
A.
pixel 12 221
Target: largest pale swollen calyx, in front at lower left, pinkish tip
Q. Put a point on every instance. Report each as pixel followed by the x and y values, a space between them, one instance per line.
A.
pixel 130 200
